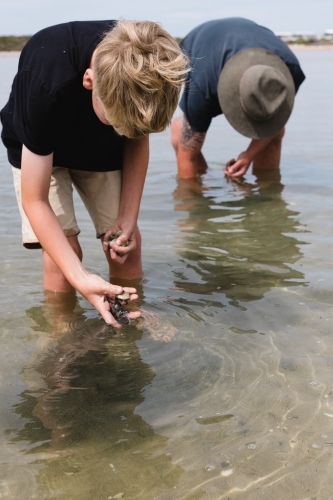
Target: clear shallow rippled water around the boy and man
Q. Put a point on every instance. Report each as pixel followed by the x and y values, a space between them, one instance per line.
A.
pixel 238 278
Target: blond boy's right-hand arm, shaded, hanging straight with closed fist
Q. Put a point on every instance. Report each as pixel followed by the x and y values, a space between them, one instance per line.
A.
pixel 135 165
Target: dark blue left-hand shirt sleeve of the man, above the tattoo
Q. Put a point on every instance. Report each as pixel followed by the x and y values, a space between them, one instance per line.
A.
pixel 196 108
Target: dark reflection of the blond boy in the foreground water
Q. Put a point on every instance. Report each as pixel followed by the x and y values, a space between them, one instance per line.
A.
pixel 83 385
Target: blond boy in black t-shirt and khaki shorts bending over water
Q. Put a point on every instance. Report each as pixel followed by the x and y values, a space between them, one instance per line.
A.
pixel 83 103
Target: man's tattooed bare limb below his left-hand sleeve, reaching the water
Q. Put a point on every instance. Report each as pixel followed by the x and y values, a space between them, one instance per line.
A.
pixel 187 144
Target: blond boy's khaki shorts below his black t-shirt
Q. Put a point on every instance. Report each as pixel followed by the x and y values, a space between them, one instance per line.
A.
pixel 99 191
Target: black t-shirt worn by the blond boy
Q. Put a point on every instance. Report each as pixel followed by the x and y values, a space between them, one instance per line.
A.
pixel 49 110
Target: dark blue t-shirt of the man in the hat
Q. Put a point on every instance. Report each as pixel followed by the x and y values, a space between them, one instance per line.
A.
pixel 209 47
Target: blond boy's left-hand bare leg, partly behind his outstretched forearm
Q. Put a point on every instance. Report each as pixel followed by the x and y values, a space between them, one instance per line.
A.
pixel 53 278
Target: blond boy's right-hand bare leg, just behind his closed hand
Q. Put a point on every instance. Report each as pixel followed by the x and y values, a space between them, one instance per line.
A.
pixel 132 267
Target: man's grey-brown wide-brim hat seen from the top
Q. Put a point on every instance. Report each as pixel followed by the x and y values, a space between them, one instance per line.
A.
pixel 256 93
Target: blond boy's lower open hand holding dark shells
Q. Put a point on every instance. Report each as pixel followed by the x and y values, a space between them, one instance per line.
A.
pixel 96 291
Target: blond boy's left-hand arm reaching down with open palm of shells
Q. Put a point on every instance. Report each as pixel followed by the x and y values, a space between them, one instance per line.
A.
pixel 36 176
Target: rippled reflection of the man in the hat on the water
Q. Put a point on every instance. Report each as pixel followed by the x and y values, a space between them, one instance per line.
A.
pixel 241 245
